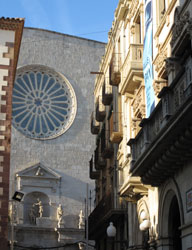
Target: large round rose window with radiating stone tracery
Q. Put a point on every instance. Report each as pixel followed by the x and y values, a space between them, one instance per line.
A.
pixel 44 102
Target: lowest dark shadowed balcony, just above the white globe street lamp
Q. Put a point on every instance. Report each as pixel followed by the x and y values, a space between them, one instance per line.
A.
pixel 106 210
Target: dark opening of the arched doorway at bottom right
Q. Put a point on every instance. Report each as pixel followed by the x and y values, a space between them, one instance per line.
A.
pixel 174 221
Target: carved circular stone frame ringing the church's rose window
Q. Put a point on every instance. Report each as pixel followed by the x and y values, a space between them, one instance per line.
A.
pixel 71 97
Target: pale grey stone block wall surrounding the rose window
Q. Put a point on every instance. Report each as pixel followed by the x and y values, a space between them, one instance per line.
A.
pixel 67 155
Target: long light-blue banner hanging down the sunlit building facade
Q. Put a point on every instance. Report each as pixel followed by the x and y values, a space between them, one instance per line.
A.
pixel 147 59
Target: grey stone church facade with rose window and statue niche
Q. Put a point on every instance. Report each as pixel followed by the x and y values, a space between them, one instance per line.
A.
pixel 51 145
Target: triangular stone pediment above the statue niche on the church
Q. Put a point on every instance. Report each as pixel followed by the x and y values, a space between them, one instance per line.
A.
pixel 38 170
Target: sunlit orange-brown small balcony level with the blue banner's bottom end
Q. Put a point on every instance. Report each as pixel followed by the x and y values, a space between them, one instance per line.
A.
pixel 116 133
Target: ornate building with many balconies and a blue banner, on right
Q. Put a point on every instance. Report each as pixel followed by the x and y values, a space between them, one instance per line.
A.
pixel 142 160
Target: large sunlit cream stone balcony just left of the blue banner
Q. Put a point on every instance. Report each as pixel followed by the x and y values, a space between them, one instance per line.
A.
pixel 132 68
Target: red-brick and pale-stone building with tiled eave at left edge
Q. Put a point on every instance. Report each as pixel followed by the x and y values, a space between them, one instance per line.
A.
pixel 10 37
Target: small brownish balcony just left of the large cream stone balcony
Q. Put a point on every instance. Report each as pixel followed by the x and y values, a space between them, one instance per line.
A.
pixel 115 75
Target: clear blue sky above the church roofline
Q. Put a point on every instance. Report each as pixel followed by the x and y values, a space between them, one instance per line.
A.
pixel 91 19
